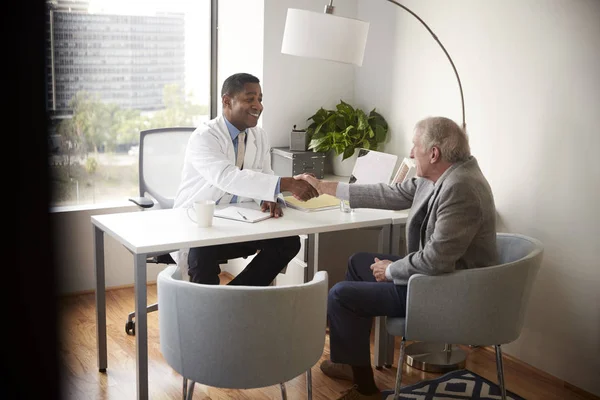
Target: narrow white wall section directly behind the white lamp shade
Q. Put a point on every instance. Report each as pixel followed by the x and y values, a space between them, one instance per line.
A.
pixel 294 87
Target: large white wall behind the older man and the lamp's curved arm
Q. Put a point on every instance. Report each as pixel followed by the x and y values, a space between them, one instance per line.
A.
pixel 531 77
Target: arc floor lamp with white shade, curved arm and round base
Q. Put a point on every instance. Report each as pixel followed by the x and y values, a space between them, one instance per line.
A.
pixel 330 37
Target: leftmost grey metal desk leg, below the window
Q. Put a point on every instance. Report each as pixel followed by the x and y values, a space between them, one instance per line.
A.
pixel 100 299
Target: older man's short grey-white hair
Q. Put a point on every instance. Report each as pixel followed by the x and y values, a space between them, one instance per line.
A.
pixel 447 136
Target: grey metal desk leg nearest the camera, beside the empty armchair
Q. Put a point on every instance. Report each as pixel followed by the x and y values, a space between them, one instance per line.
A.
pixel 141 325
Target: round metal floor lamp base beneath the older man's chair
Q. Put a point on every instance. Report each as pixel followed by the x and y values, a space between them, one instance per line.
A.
pixel 432 357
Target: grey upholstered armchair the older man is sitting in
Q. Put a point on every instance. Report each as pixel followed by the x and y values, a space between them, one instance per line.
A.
pixel 482 306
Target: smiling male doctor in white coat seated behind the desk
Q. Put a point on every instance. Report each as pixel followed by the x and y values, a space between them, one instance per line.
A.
pixel 228 160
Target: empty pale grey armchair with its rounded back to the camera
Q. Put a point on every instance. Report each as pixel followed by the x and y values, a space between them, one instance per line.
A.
pixel 241 337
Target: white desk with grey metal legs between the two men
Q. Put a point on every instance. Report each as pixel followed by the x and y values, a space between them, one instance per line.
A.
pixel 153 232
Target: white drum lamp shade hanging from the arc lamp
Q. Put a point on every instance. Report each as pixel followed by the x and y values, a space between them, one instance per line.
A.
pixel 324 36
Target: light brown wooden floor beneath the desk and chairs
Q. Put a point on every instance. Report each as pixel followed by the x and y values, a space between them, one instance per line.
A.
pixel 81 379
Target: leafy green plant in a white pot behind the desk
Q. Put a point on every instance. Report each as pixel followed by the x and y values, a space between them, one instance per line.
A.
pixel 344 130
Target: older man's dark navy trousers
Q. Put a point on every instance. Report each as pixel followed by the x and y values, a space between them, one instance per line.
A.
pixel 353 303
